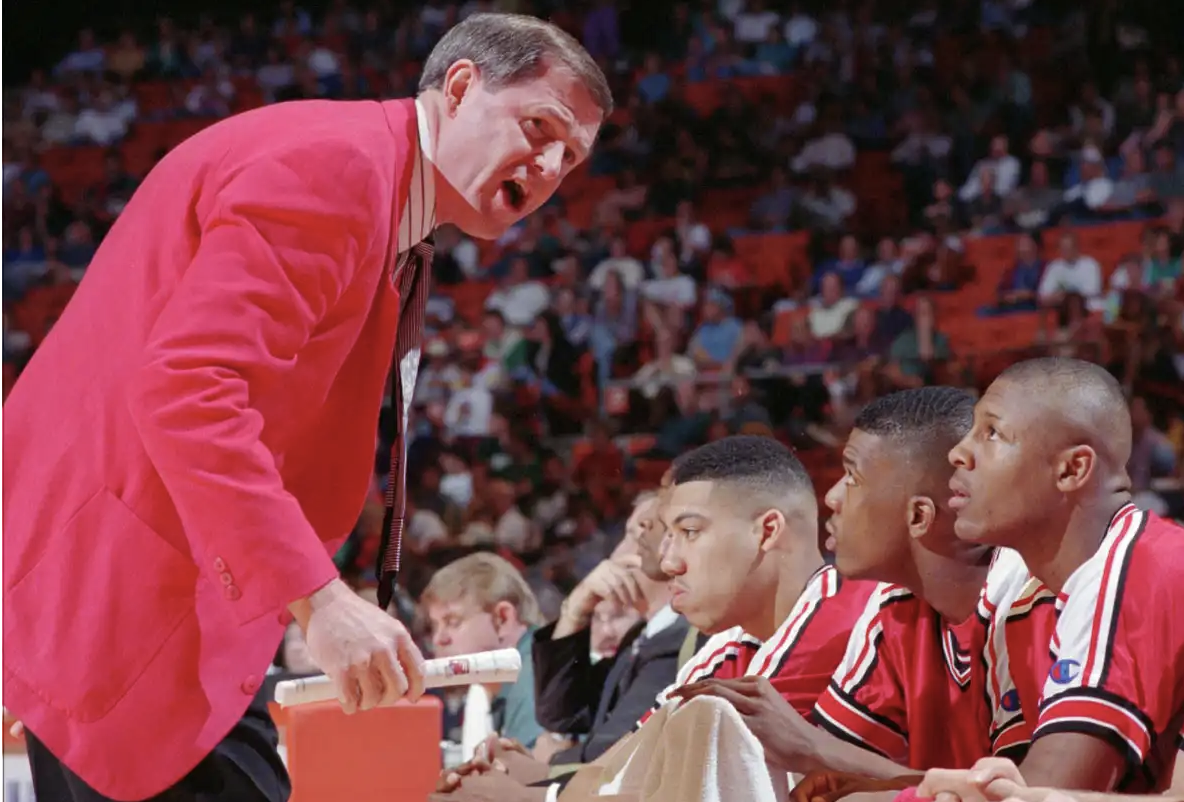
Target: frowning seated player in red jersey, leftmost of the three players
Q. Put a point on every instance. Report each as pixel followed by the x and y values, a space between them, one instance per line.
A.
pixel 742 548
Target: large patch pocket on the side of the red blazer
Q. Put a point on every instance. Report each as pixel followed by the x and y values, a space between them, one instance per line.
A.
pixel 91 617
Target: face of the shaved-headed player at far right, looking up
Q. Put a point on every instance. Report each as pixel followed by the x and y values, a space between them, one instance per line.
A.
pixel 1006 473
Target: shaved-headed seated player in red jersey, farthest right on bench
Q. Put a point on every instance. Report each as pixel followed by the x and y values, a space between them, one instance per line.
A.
pixel 1044 472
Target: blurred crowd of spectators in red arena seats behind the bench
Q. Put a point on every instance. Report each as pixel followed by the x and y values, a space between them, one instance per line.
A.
pixel 799 206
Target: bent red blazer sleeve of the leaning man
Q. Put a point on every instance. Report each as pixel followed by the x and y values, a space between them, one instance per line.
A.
pixel 280 246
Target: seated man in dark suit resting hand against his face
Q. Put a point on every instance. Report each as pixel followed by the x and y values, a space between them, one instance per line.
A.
pixel 600 703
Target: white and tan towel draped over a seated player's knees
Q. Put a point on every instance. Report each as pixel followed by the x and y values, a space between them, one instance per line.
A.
pixel 700 752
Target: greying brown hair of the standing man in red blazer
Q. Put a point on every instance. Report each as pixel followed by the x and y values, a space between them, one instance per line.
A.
pixel 509 49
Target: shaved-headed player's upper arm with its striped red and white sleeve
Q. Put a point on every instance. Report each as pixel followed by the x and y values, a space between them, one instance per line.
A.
pixel 1116 692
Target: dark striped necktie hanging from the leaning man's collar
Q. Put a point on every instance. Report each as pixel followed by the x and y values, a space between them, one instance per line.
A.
pixel 413 279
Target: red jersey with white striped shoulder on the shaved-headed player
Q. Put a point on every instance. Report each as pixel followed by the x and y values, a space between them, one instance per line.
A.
pixel 1118 653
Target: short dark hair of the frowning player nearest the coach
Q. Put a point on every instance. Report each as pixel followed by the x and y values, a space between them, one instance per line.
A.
pixel 760 464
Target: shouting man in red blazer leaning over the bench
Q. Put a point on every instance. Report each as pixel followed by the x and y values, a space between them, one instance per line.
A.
pixel 197 434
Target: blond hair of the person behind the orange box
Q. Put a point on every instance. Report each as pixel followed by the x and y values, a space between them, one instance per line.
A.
pixel 487 580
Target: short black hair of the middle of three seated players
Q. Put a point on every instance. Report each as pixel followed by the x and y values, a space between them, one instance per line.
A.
pixel 926 421
